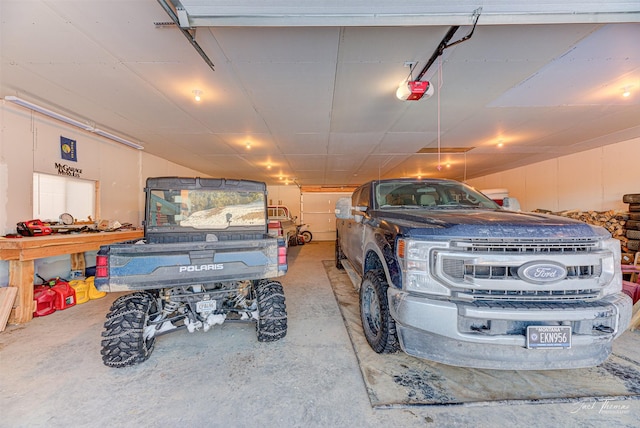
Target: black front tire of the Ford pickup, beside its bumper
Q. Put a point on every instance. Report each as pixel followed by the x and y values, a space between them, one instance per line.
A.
pixel 378 325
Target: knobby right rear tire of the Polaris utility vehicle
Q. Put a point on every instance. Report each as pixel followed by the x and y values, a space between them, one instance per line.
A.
pixel 272 311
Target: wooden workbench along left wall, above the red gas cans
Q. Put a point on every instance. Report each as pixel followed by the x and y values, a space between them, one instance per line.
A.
pixel 21 252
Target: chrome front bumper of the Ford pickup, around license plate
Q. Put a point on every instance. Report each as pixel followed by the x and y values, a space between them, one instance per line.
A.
pixel 492 335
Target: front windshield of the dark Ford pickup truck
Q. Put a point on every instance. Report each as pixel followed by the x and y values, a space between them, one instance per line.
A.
pixel 423 194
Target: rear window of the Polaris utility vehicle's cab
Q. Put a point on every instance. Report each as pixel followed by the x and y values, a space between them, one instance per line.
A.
pixel 206 209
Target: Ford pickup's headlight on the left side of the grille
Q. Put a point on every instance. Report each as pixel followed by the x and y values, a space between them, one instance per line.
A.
pixel 414 257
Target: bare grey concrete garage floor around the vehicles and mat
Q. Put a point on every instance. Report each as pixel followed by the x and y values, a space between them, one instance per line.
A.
pixel 51 374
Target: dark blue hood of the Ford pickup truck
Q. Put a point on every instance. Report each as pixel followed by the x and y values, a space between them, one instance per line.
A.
pixel 482 223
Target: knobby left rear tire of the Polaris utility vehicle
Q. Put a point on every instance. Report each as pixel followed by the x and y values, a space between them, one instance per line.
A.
pixel 124 342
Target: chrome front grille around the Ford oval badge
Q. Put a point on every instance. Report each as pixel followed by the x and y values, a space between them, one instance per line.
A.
pixel 487 270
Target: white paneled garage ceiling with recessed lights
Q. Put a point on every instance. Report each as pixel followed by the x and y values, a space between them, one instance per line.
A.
pixel 314 100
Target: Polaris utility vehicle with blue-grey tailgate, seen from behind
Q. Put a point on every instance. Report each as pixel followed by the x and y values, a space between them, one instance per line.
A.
pixel 206 257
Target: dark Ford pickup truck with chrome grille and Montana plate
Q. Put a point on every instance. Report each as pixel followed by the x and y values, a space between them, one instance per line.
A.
pixel 449 276
